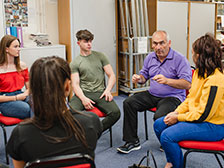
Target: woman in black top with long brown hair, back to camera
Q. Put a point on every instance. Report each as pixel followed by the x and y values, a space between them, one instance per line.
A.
pixel 55 129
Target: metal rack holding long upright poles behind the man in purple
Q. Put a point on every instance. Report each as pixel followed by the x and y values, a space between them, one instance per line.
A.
pixel 134 32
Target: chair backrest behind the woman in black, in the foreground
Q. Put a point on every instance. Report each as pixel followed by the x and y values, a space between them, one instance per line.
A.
pixel 65 161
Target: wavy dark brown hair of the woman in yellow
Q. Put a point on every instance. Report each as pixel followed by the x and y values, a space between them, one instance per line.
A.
pixel 209 55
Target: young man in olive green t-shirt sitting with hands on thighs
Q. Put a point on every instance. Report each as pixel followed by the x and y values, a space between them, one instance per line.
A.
pixel 88 80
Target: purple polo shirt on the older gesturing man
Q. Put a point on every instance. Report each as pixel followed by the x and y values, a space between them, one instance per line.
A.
pixel 175 66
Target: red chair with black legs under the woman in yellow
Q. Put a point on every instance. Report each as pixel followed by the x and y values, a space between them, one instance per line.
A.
pixel 216 148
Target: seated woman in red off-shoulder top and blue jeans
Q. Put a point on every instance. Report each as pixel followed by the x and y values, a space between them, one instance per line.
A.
pixel 13 76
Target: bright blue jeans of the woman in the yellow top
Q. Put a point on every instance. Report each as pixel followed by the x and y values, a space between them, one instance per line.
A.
pixel 169 136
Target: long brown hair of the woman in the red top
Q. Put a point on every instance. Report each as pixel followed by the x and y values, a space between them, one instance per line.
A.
pixel 5 43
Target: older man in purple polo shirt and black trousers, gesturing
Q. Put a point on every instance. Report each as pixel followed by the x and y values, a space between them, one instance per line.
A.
pixel 170 74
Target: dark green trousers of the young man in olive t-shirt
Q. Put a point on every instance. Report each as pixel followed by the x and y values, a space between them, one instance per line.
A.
pixel 109 108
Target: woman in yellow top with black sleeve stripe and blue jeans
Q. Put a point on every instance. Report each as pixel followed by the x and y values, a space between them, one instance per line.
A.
pixel 201 116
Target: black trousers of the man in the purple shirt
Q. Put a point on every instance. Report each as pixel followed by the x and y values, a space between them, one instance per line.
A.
pixel 140 102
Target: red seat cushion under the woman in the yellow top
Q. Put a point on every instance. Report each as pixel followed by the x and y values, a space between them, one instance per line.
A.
pixel 215 145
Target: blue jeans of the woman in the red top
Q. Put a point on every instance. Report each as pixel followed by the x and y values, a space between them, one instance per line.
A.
pixel 18 109
